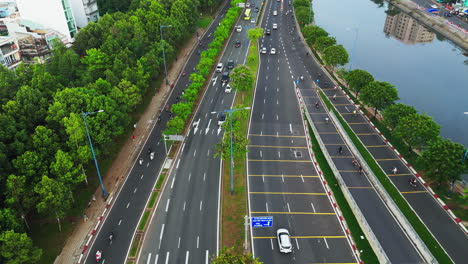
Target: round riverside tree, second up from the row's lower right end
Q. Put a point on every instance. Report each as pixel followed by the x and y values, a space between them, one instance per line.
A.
pixel 417 130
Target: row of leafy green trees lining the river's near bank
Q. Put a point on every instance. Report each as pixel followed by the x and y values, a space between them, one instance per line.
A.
pixel 441 158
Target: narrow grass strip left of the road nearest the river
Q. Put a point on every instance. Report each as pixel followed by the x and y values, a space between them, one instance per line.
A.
pixel 413 219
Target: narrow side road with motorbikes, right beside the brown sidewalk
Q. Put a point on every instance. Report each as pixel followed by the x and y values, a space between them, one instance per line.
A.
pixel 130 202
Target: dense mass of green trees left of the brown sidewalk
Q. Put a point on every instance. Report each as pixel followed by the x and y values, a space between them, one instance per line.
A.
pixel 43 142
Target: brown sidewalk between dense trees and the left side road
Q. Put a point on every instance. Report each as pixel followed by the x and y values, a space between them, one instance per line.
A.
pixel 116 174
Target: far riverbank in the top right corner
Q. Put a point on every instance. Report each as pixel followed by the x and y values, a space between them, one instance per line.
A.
pixel 435 23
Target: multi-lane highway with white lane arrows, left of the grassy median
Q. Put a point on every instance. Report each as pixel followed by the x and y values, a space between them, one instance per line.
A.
pixel 185 226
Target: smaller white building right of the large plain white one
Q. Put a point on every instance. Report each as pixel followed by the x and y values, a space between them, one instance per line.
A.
pixel 84 11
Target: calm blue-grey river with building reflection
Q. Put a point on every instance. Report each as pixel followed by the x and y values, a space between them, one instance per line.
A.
pixel 430 73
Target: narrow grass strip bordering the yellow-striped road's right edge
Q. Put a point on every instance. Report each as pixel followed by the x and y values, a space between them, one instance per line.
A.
pixel 367 254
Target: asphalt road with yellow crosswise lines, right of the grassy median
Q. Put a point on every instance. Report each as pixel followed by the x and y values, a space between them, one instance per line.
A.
pixel 282 180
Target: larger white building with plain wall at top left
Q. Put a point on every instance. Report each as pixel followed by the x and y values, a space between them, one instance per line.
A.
pixel 54 14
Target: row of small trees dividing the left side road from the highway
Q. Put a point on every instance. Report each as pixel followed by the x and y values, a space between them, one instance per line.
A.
pixel 184 108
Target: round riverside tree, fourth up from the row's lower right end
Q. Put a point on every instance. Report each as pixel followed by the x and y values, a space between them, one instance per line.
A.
pixel 379 95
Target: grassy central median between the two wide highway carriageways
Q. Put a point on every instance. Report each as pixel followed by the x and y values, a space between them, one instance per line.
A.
pixel 235 206
